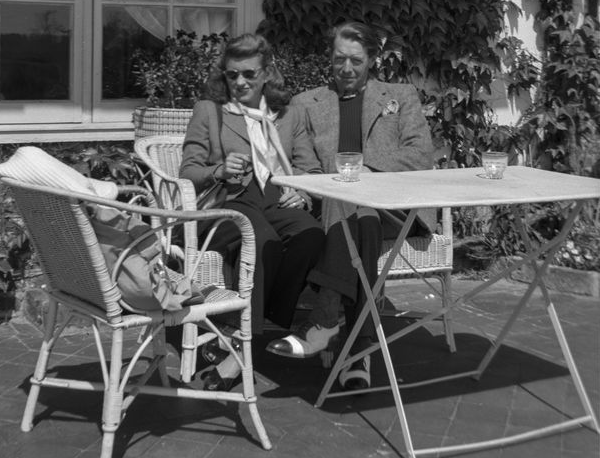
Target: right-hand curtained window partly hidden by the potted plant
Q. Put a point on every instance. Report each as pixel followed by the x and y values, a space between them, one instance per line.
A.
pixel 129 25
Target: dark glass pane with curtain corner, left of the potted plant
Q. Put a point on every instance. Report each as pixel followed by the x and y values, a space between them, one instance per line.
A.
pixel 126 29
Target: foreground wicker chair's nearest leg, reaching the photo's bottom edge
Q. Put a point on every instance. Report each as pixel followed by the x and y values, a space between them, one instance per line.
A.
pixel 113 397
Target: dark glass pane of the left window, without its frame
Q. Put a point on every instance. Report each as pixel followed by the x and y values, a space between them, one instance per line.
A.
pixel 35 51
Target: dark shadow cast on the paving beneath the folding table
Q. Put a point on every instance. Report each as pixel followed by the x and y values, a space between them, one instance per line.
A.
pixel 417 356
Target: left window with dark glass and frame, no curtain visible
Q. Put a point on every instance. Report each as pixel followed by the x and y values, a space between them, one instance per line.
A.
pixel 38 61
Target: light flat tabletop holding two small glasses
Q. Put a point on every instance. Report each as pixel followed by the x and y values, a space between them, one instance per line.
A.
pixel 447 187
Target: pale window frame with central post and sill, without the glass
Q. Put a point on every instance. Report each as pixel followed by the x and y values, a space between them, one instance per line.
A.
pixel 86 117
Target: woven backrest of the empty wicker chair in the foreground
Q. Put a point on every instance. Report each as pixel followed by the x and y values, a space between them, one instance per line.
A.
pixel 66 245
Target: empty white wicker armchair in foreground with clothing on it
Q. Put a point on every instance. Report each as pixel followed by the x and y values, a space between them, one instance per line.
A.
pixel 78 278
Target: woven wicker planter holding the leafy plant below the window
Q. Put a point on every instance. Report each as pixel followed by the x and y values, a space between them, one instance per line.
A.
pixel 160 121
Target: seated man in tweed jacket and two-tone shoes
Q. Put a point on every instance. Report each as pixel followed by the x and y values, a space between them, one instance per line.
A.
pixel 386 123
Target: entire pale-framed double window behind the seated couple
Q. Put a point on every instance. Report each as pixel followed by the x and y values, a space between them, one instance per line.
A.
pixel 65 65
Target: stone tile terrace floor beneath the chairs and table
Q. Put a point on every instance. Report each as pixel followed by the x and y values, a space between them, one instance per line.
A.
pixel 526 385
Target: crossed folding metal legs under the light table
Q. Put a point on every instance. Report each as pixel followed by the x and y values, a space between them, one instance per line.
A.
pixel 531 256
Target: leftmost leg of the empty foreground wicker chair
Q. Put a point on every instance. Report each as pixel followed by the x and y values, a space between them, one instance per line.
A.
pixel 41 366
